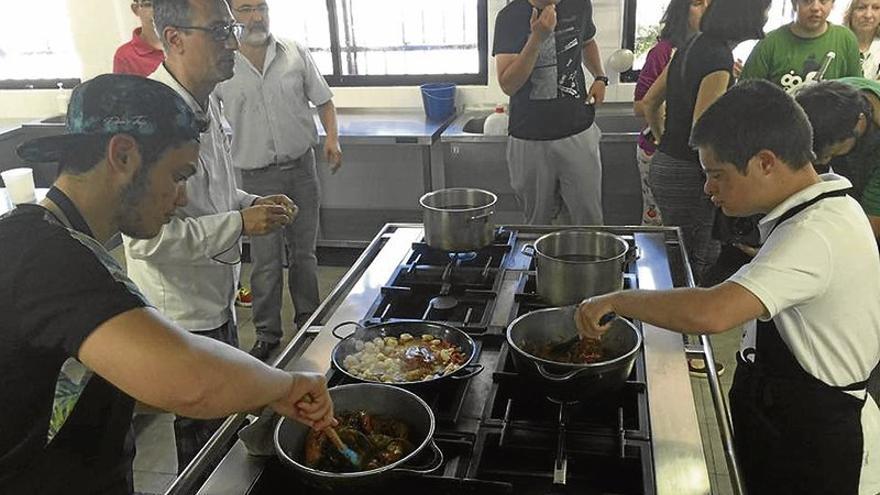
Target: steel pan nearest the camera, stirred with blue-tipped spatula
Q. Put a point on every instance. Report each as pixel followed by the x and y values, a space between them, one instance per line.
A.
pixel 386 400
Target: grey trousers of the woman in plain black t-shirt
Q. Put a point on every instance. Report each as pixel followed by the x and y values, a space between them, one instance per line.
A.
pixel 678 190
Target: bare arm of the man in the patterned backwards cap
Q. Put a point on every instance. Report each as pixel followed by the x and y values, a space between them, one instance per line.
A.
pixel 151 359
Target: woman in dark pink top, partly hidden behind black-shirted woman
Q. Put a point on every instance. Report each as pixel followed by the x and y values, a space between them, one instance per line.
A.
pixel 680 21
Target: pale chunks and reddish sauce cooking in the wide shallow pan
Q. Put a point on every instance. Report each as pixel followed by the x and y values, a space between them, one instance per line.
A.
pixel 404 359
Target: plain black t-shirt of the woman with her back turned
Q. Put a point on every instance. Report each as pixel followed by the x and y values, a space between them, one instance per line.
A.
pixel 703 56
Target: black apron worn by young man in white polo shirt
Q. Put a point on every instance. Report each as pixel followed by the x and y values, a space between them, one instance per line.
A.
pixel 794 433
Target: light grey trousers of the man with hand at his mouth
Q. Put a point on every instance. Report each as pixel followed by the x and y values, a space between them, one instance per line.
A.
pixel 547 175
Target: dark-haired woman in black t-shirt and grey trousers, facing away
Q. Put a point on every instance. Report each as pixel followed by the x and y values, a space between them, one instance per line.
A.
pixel 698 74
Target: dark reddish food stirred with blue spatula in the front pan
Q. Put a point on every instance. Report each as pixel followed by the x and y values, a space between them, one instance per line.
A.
pixel 377 440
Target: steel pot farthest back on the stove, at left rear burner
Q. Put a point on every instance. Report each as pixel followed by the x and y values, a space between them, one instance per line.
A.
pixel 459 219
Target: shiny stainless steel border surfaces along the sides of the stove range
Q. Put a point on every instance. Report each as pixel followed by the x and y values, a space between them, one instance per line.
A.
pixel 679 460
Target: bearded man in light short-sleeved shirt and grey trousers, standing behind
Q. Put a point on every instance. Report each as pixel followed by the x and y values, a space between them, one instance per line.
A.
pixel 267 105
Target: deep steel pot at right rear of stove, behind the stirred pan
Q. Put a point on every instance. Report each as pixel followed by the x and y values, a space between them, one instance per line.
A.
pixel 576 264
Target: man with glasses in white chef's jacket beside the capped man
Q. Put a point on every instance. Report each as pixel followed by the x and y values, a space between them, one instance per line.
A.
pixel 190 270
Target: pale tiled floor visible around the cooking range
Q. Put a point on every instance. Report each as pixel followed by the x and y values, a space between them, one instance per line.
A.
pixel 156 463
